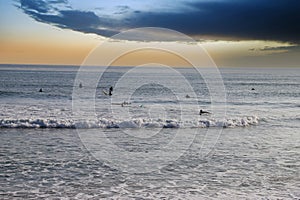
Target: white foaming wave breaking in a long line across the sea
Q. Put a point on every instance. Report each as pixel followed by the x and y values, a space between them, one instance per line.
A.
pixel 133 123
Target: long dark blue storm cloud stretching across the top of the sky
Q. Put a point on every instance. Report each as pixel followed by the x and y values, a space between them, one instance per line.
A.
pixel 239 19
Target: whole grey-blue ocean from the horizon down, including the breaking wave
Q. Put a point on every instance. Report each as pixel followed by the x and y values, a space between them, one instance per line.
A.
pixel 70 142
